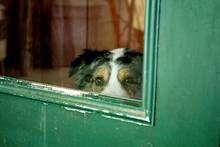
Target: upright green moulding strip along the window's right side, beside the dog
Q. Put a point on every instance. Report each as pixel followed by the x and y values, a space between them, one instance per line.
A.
pixel 150 58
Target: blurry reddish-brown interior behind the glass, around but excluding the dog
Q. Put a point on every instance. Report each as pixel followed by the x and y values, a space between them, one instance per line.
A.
pixel 40 38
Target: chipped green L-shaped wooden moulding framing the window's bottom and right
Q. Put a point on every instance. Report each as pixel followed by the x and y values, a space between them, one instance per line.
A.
pixel 137 111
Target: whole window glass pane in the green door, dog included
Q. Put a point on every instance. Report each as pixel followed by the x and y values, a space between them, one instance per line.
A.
pixel 90 45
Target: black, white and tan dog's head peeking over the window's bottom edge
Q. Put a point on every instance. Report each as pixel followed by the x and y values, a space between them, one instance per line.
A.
pixel 116 73
